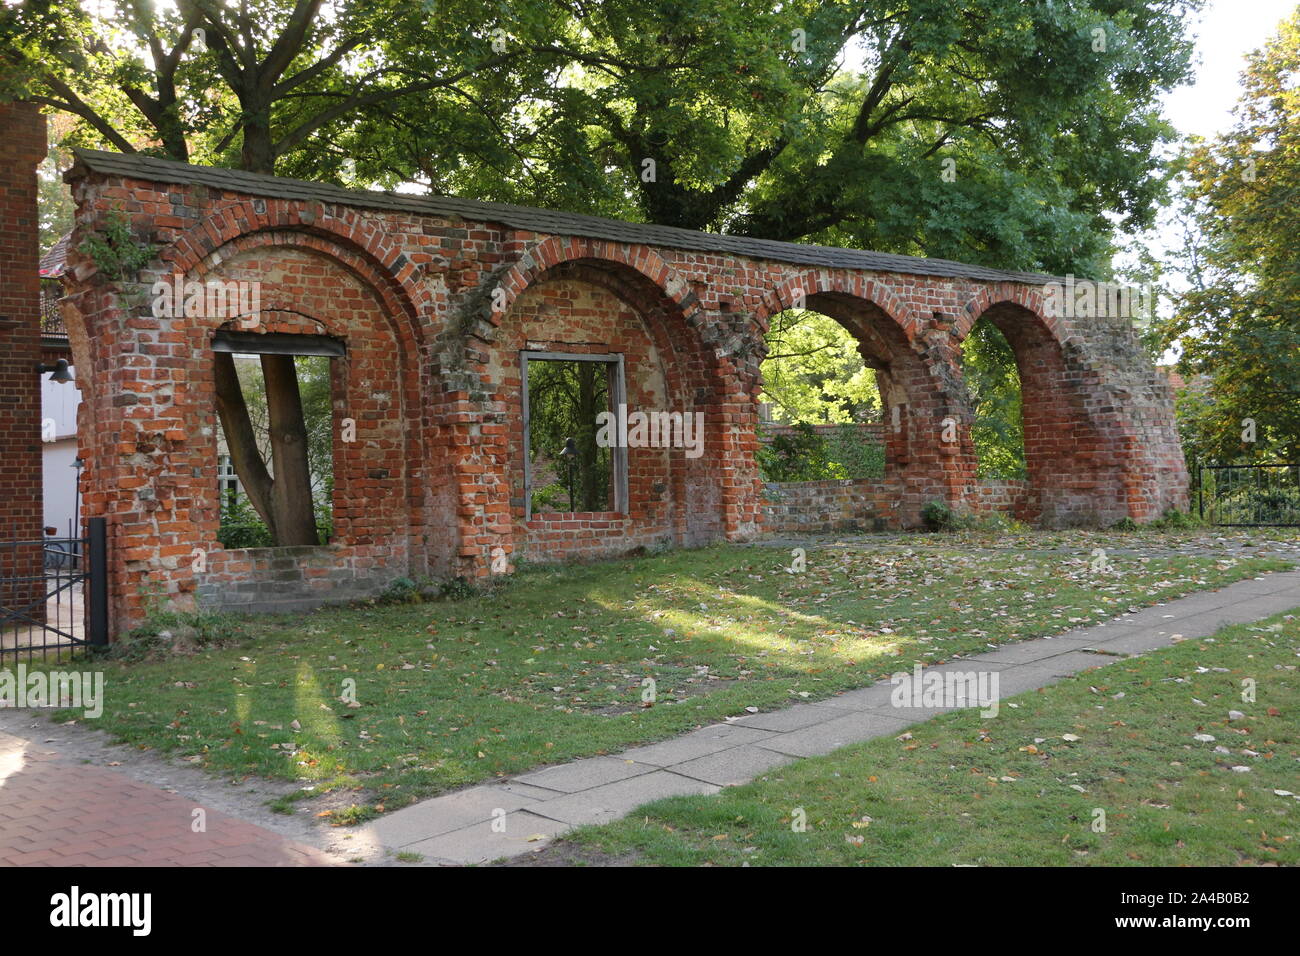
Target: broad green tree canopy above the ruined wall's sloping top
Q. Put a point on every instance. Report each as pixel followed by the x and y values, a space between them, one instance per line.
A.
pixel 807 120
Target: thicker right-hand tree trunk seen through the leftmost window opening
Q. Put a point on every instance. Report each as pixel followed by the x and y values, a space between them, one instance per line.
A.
pixel 292 491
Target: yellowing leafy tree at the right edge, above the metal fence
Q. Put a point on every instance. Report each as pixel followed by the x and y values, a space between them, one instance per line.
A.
pixel 1238 326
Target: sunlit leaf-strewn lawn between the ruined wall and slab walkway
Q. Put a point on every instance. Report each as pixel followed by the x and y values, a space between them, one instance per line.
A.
pixel 551 668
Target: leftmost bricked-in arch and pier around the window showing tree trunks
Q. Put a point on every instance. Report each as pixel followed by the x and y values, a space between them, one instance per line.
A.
pixel 313 283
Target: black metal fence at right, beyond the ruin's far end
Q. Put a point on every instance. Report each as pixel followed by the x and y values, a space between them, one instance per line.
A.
pixel 1250 496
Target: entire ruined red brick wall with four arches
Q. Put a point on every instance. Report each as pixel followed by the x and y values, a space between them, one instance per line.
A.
pixel 435 300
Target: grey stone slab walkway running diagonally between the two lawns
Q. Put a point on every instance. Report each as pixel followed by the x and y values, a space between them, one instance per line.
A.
pixel 504 820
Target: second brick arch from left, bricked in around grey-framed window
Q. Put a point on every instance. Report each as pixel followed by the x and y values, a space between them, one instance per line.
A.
pixel 696 380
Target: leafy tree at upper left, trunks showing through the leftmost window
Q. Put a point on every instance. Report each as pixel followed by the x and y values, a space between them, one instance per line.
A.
pixel 245 86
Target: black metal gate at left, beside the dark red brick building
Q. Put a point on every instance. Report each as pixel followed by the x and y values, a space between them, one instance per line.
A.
pixel 54 595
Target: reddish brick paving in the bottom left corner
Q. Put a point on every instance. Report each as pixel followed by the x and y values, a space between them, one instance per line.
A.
pixel 57 812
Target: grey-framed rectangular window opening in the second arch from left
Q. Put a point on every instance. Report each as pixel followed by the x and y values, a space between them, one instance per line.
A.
pixel 566 469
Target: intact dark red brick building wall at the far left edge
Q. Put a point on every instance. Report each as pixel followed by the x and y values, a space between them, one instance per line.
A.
pixel 23 146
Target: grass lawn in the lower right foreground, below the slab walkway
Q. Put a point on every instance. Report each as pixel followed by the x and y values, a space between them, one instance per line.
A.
pixel 1024 789
